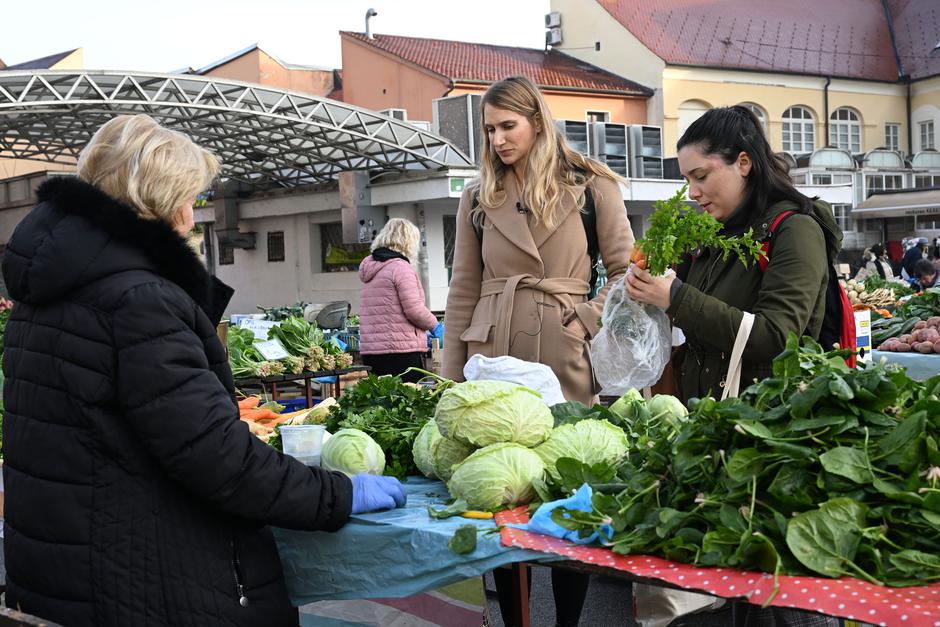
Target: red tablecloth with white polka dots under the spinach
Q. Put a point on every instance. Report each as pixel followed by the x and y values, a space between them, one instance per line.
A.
pixel 846 597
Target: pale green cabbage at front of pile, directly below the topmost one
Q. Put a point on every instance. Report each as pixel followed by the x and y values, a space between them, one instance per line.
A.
pixel 497 476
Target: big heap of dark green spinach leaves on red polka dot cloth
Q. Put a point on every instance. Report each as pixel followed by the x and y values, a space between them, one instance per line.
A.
pixel 818 469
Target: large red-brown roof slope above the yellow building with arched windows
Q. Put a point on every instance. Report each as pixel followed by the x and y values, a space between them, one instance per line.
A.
pixel 844 38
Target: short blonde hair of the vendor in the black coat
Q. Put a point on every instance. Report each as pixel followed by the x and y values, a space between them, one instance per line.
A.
pixel 153 169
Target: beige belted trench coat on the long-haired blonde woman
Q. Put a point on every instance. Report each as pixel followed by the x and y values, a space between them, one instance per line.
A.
pixel 515 294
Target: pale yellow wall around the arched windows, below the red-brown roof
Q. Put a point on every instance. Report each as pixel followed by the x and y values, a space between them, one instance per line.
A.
pixel 876 103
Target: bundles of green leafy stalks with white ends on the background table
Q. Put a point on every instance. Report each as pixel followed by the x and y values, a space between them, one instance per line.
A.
pixel 309 351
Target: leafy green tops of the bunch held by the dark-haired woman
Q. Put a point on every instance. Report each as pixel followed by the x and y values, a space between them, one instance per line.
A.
pixel 677 229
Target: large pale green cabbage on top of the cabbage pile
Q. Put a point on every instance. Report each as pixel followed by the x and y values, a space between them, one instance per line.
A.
pixel 481 413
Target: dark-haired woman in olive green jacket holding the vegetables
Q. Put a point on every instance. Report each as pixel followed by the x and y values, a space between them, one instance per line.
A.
pixel 735 176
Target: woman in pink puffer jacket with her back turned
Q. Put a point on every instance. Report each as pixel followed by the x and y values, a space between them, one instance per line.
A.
pixel 392 315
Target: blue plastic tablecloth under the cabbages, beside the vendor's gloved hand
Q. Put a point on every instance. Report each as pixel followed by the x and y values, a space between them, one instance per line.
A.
pixel 390 554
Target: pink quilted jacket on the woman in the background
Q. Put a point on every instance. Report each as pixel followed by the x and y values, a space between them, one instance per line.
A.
pixel 392 315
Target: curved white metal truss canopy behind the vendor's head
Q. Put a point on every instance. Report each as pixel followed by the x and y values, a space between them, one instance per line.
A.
pixel 263 137
